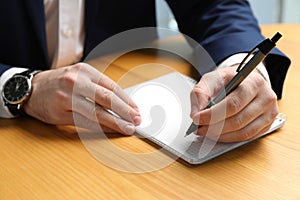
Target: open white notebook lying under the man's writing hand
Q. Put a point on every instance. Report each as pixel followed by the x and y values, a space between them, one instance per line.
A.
pixel 164 105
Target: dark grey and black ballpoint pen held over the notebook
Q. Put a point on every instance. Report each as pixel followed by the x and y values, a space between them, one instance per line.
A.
pixel 263 49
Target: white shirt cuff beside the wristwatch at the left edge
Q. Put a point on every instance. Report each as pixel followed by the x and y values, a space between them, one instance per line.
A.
pixel 4 112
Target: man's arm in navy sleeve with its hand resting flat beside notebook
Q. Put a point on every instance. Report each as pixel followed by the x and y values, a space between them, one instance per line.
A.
pixel 52 94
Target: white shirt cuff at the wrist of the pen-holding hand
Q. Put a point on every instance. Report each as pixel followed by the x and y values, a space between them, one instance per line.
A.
pixel 238 58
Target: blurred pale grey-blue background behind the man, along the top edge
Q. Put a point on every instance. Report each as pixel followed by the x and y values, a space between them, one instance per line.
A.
pixel 266 11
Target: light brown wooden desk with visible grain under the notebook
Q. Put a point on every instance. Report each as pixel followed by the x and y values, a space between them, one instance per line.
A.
pixel 39 161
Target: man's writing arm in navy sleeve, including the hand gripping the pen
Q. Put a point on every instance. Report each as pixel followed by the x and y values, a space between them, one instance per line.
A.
pixel 225 28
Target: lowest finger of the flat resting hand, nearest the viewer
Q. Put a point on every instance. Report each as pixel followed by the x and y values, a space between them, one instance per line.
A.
pixel 98 114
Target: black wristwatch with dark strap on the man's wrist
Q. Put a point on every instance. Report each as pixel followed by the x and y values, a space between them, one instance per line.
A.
pixel 17 90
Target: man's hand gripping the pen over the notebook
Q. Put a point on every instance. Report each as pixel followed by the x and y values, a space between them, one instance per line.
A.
pixel 244 114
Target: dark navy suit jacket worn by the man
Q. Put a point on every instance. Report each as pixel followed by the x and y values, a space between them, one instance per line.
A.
pixel 222 27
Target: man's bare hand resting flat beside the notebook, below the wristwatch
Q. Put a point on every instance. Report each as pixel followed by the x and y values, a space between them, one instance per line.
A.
pixel 82 91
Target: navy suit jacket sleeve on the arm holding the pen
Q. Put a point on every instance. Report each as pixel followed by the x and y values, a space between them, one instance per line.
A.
pixel 227 27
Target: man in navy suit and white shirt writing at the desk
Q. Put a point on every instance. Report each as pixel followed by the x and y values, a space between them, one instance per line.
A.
pixel 53 36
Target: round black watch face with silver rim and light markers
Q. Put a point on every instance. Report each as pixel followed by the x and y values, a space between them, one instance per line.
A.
pixel 16 89
